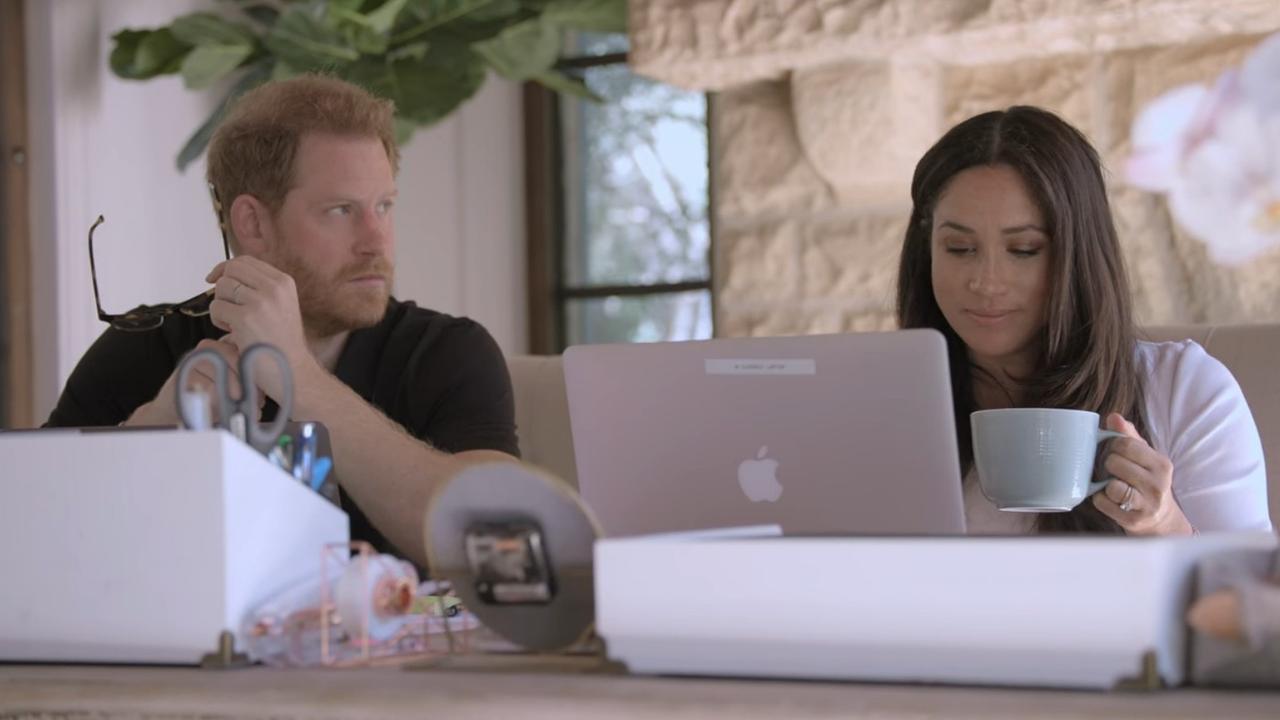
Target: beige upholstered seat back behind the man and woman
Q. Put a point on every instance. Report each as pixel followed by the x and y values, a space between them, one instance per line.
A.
pixel 1249 352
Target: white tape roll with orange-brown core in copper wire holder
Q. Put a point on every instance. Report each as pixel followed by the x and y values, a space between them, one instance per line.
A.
pixel 374 595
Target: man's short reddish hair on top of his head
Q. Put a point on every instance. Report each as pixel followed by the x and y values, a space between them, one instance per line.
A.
pixel 254 148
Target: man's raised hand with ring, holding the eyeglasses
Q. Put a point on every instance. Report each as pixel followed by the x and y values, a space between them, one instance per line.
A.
pixel 257 303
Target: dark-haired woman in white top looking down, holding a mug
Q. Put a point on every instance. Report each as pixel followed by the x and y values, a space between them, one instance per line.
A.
pixel 1013 256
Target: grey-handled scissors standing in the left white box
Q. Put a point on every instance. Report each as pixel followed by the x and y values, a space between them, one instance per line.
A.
pixel 240 414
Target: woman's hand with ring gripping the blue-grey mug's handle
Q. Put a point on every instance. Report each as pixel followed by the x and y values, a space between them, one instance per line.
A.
pixel 1141 495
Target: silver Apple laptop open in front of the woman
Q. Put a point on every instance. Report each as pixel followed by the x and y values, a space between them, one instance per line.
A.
pixel 820 435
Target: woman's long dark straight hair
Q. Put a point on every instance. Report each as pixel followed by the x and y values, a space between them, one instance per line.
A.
pixel 1087 354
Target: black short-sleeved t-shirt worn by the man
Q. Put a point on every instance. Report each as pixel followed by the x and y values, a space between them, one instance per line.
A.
pixel 442 379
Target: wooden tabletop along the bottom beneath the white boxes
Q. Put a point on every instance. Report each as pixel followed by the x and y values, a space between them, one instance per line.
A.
pixel 97 692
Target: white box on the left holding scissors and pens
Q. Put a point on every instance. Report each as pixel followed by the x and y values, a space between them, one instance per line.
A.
pixel 144 546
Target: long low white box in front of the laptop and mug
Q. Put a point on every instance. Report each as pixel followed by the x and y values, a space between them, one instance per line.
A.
pixel 1036 612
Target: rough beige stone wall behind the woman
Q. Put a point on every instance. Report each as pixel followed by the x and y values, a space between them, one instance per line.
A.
pixel 824 107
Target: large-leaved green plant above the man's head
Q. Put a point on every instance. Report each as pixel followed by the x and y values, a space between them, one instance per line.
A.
pixel 427 56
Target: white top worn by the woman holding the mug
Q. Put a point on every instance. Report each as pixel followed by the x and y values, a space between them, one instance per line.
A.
pixel 1196 417
